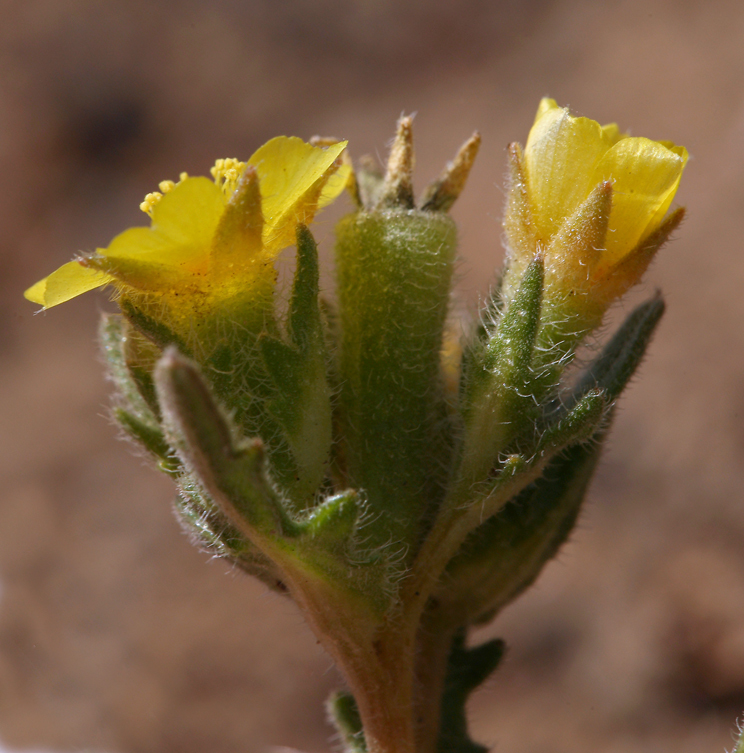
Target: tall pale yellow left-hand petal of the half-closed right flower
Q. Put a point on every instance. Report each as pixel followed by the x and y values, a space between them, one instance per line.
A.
pixel 560 157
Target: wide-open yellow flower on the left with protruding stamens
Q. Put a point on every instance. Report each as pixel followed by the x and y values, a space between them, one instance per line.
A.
pixel 210 241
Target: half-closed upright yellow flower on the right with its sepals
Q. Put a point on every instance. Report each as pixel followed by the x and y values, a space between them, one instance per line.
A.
pixel 592 201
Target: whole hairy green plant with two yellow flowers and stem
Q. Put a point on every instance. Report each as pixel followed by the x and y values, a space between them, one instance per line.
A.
pixel 399 487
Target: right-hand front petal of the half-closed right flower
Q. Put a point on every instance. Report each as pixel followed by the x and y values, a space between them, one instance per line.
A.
pixel 645 175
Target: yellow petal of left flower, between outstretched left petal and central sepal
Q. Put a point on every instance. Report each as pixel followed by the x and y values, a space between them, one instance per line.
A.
pixel 183 224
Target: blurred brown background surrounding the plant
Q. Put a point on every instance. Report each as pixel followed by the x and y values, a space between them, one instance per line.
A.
pixel 116 636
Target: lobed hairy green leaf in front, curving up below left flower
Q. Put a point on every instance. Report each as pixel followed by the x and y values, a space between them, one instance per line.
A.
pixel 321 545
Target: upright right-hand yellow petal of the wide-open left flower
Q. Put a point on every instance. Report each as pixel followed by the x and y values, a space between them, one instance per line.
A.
pixel 292 176
